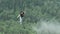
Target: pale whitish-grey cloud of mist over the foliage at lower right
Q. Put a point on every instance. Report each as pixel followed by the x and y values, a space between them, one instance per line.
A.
pixel 47 27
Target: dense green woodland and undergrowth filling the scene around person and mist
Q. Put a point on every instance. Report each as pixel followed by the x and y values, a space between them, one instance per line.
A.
pixel 35 11
